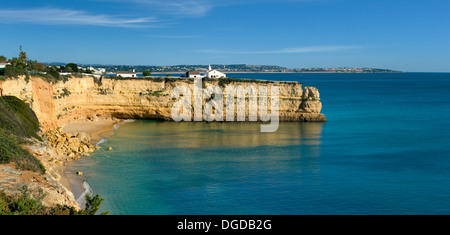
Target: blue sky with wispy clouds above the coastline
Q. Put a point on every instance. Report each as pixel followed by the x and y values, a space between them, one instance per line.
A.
pixel 407 35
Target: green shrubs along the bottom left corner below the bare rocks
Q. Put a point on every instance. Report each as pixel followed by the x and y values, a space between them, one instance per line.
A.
pixel 25 204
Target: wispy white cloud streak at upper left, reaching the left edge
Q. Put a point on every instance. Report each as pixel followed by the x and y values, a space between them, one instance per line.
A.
pixel 53 16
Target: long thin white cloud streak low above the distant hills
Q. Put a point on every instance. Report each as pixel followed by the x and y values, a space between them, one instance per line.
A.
pixel 284 51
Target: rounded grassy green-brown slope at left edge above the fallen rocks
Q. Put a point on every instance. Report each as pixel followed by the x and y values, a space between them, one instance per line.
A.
pixel 18 123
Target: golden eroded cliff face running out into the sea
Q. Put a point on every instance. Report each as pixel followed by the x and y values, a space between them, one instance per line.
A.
pixel 81 98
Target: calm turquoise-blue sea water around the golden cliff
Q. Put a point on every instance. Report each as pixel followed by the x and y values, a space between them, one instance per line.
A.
pixel 384 150
